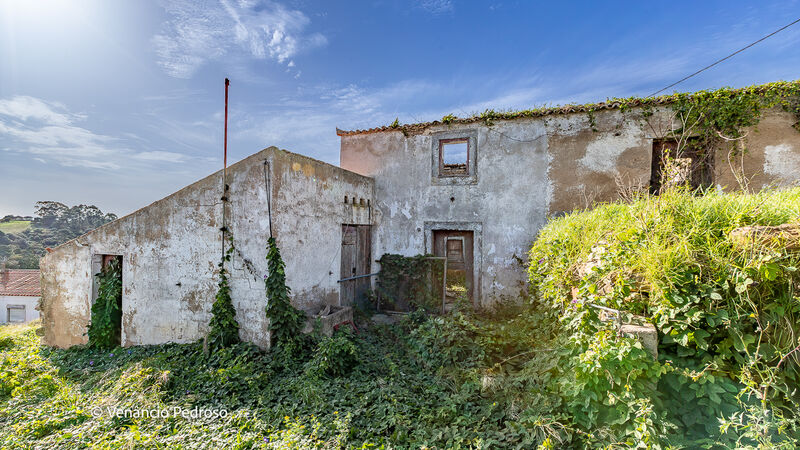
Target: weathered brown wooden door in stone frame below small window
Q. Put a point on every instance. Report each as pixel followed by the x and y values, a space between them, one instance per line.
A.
pixel 456 247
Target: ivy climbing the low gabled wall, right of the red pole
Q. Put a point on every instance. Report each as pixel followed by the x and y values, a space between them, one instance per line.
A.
pixel 285 321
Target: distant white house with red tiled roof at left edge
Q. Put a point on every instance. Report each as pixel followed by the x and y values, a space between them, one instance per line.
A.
pixel 19 295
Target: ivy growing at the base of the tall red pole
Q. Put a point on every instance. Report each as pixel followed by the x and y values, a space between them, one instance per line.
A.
pixel 223 328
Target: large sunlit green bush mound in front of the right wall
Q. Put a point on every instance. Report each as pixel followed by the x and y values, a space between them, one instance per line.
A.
pixel 728 316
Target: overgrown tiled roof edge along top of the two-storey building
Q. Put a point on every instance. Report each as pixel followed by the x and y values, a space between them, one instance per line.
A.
pixel 612 103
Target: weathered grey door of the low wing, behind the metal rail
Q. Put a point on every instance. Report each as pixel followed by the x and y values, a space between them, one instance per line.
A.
pixel 356 250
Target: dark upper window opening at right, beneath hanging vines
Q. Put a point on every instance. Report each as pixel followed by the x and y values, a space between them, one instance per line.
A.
pixel 691 165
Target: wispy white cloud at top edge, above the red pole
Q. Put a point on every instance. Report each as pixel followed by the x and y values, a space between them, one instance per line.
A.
pixel 200 32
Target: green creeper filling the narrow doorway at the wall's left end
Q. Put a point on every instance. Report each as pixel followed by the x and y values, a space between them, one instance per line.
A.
pixel 106 318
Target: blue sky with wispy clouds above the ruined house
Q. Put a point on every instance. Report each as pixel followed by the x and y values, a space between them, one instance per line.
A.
pixel 119 103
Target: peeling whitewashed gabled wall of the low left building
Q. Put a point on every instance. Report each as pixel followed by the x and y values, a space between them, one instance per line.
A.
pixel 171 249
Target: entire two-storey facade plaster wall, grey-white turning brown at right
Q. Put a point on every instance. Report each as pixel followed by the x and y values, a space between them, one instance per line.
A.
pixel 529 169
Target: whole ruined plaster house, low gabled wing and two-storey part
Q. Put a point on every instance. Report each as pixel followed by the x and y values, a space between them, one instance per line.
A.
pixel 474 191
